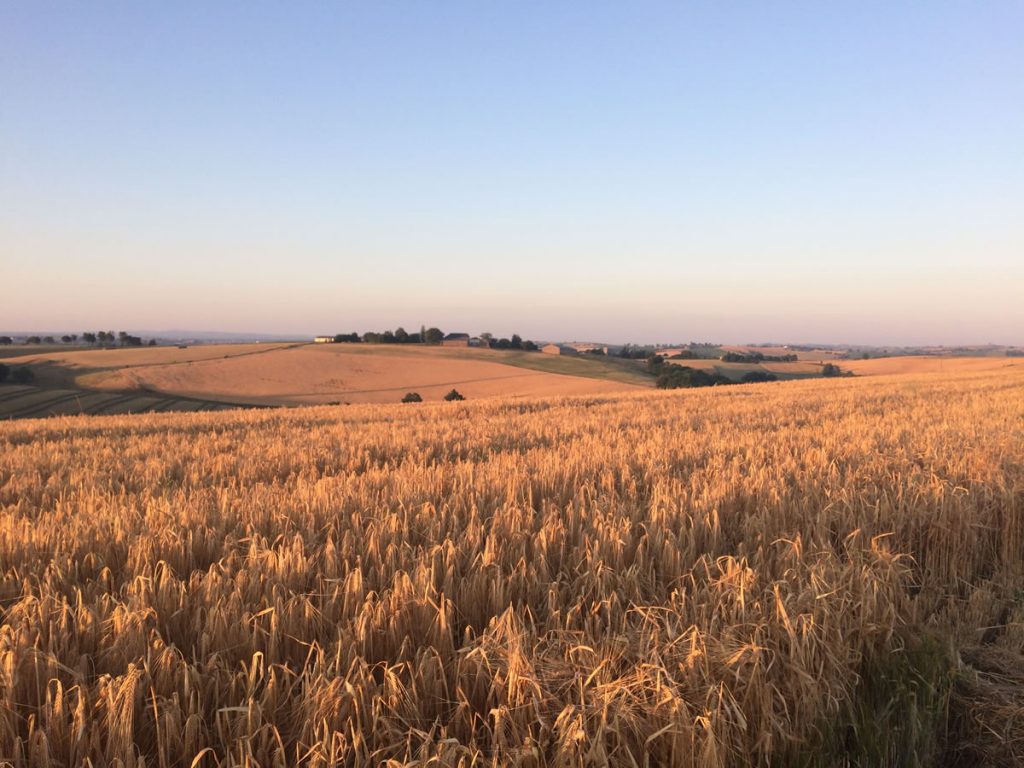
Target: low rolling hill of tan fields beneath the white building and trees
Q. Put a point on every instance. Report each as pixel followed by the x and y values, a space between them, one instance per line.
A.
pixel 304 374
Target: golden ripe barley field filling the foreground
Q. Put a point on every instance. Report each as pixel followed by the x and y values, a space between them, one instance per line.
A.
pixel 807 573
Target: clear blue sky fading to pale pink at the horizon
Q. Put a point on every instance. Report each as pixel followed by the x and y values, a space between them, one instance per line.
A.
pixel 618 172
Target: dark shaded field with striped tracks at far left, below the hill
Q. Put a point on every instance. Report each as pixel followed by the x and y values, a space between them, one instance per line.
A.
pixel 34 403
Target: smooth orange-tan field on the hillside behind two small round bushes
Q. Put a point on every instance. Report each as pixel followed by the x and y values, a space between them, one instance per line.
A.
pixel 336 373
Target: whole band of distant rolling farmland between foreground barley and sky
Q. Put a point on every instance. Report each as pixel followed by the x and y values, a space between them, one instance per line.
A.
pixel 71 378
